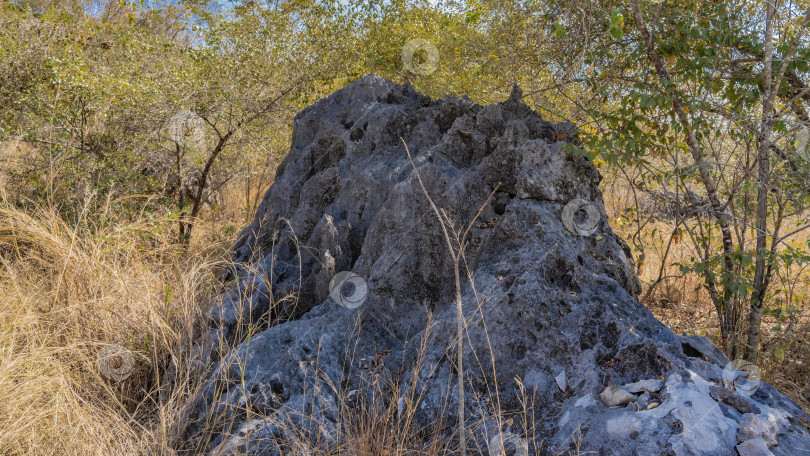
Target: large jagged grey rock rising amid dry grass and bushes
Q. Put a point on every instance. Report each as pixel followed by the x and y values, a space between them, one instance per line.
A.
pixel 545 300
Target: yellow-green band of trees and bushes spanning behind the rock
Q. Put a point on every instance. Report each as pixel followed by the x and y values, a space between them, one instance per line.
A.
pixel 97 101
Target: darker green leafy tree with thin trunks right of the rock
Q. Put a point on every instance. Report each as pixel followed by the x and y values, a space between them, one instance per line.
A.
pixel 688 115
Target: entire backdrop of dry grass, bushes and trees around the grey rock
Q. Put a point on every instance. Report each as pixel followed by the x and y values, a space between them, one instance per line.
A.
pixel 136 139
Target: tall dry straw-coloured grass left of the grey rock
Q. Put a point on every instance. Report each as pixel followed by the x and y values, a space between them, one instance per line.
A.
pixel 67 292
